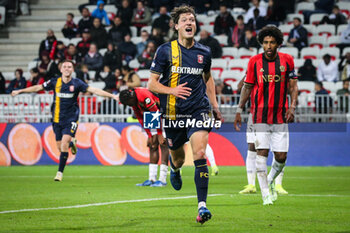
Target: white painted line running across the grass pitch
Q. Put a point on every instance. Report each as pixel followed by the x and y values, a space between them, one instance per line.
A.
pixel 103 203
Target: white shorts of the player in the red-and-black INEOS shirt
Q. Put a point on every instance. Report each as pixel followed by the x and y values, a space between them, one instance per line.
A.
pixel 274 136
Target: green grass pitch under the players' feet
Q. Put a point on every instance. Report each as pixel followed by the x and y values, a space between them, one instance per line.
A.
pixel 319 201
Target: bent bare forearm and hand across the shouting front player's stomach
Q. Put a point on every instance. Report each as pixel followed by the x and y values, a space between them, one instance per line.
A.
pixel 180 91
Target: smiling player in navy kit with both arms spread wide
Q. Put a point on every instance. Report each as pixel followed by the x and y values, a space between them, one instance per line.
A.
pixel 65 109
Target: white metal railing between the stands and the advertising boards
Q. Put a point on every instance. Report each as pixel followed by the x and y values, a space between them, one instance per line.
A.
pixel 37 108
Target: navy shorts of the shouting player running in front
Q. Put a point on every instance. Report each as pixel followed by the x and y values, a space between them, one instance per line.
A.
pixel 178 135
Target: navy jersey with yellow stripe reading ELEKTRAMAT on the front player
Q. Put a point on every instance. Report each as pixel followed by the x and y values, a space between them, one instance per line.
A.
pixel 178 65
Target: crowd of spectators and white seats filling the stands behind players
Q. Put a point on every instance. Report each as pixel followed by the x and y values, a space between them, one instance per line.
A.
pixel 112 46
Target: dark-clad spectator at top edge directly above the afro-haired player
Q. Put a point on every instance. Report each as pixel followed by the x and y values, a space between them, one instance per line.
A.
pixel 275 12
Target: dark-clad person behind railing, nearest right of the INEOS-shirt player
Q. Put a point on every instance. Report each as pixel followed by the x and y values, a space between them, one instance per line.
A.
pixel 323 102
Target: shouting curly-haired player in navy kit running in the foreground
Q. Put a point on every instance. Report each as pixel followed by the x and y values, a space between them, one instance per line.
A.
pixel 186 91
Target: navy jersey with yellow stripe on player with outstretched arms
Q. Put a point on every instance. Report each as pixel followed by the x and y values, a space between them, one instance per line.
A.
pixel 65 105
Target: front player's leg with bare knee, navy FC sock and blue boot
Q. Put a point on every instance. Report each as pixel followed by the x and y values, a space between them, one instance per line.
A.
pixel 199 141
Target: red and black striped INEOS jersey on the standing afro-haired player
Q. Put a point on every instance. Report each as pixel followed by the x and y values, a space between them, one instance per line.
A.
pixel 271 81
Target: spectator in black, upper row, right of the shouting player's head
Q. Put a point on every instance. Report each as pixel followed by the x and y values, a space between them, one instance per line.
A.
pixel 224 22
